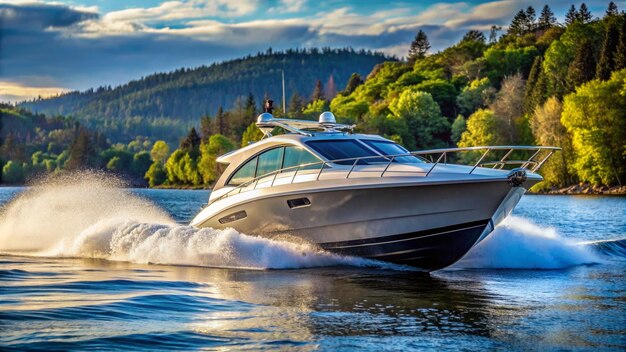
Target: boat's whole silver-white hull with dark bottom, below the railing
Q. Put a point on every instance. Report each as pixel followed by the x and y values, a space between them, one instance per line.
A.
pixel 429 226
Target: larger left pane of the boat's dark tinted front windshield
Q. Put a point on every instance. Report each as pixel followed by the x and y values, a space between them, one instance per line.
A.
pixel 343 149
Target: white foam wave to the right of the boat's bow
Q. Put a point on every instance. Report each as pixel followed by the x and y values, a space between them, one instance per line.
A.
pixel 518 243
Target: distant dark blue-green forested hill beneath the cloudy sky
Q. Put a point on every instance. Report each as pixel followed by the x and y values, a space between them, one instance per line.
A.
pixel 187 94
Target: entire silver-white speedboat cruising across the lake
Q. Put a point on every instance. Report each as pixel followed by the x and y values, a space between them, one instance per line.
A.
pixel 365 195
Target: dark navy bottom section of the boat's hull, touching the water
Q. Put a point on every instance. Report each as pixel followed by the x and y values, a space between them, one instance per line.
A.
pixel 428 250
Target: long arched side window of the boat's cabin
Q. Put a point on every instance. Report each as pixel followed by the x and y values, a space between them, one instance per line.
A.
pixel 272 160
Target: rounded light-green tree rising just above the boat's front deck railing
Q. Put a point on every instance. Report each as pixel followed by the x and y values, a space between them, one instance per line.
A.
pixel 417 118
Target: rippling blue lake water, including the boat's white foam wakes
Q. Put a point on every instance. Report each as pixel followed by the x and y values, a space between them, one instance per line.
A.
pixel 76 275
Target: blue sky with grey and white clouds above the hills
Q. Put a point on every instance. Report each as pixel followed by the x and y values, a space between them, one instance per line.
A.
pixel 47 47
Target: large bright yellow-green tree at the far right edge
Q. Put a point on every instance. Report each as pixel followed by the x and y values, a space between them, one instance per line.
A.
pixel 595 115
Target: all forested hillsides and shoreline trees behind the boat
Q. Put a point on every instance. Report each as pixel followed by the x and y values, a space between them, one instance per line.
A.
pixel 539 82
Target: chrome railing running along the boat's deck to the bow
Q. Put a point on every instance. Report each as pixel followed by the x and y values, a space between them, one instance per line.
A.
pixel 533 163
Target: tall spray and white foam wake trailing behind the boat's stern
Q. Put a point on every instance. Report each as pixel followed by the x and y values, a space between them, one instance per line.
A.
pixel 89 215
